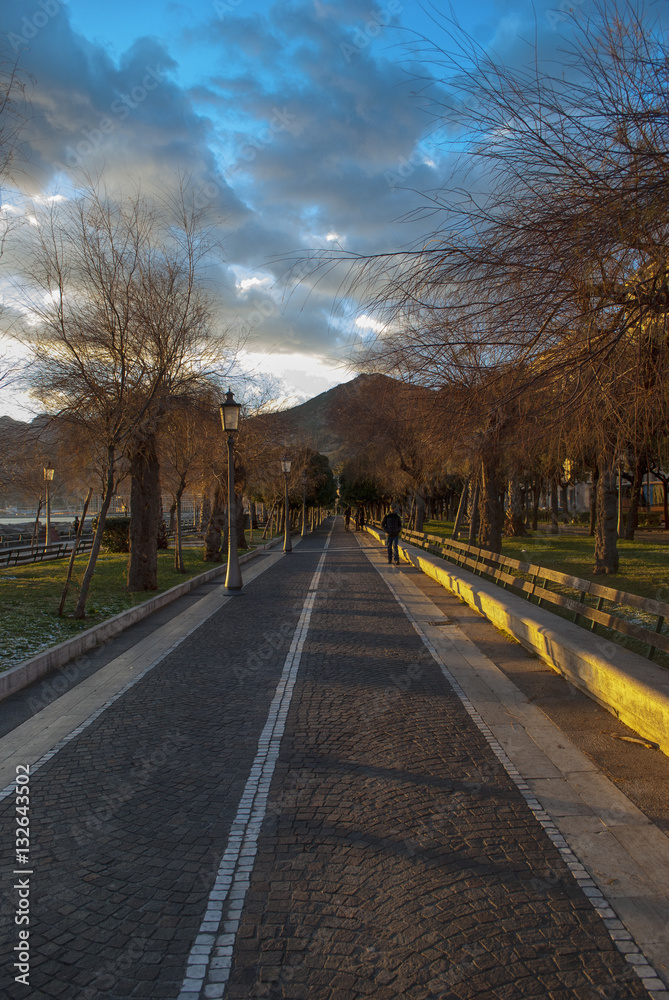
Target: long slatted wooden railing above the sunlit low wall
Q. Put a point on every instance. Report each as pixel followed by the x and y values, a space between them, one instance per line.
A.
pixel 531 581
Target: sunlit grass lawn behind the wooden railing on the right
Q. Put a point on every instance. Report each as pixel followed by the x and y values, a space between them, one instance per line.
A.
pixel 644 565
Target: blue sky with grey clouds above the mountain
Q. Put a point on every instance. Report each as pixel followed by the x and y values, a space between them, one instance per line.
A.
pixel 300 124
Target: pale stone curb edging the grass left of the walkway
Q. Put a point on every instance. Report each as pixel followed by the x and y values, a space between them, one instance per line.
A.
pixel 22 674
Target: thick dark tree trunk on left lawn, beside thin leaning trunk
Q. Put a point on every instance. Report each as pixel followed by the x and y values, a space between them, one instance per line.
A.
pixel 145 514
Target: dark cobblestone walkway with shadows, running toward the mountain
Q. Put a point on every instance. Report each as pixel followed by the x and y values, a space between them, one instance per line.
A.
pixel 289 794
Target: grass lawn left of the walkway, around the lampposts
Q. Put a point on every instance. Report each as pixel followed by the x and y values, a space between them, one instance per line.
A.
pixel 30 595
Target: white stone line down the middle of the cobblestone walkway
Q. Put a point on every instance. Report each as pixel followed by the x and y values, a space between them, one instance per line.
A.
pixel 210 960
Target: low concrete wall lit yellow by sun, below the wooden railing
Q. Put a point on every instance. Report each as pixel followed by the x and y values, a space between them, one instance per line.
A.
pixel 630 687
